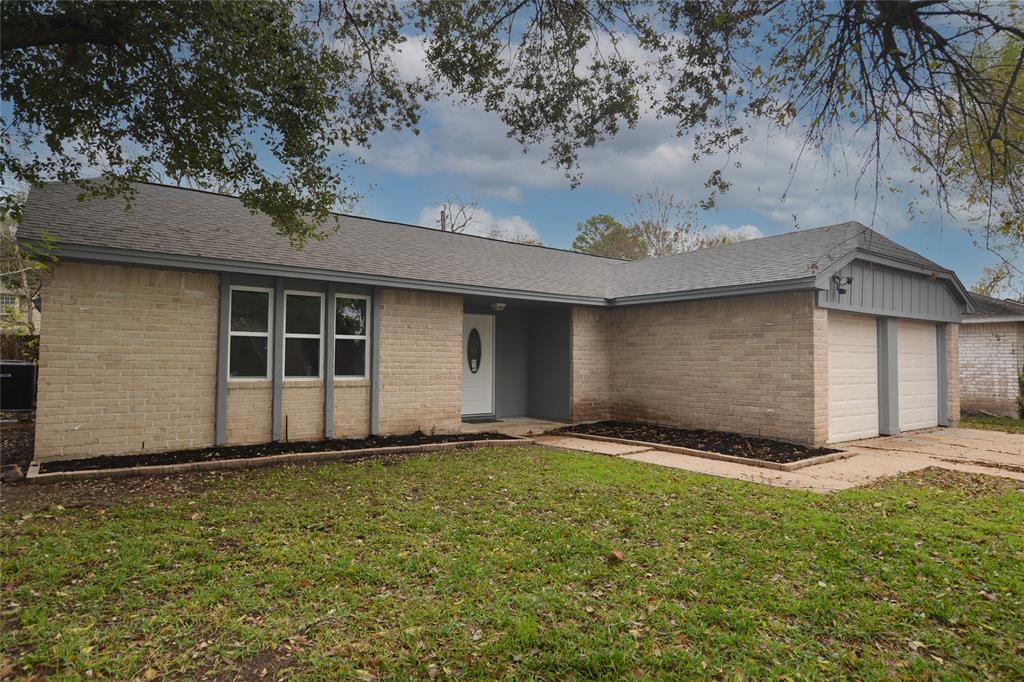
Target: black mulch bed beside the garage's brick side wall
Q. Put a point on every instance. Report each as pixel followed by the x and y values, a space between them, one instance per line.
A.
pixel 714 442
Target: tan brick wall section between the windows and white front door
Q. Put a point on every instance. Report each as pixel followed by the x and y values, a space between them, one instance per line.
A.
pixel 420 362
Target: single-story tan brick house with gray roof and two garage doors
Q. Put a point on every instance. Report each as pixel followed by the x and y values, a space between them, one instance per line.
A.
pixel 187 322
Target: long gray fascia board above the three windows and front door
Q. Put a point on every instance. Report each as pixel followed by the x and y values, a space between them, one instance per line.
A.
pixel 202 264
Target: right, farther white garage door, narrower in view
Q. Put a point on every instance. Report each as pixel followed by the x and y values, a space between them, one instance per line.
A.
pixel 919 385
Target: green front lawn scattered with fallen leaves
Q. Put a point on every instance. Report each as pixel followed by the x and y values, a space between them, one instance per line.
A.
pixel 494 564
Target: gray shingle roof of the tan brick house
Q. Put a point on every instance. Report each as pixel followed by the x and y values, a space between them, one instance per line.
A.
pixel 199 225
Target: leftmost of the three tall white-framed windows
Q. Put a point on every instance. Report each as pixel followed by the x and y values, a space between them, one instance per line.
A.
pixel 249 348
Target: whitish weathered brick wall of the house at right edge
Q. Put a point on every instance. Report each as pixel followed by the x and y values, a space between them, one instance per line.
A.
pixel 992 356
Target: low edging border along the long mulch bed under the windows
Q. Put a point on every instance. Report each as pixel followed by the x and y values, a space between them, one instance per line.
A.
pixel 34 477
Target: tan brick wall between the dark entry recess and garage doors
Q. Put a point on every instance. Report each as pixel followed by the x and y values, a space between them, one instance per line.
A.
pixel 751 365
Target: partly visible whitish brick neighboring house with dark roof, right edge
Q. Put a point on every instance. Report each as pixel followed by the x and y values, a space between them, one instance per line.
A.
pixel 992 356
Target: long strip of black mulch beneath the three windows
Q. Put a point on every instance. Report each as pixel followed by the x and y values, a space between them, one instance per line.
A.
pixel 265 450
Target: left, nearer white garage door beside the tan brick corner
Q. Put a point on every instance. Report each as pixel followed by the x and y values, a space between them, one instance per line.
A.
pixel 854 377
